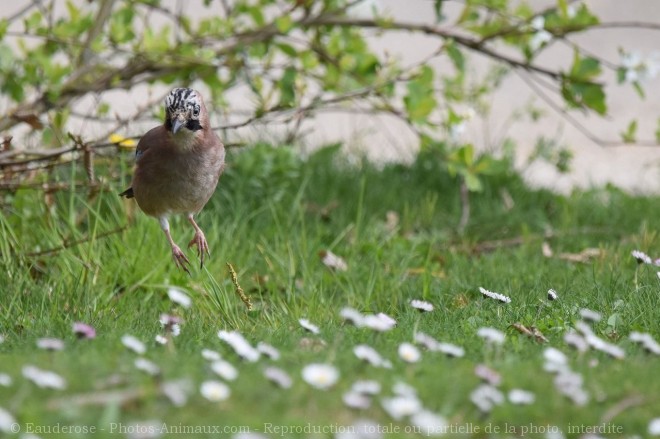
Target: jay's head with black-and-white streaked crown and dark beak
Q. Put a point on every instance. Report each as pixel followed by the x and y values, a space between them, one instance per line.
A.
pixel 184 109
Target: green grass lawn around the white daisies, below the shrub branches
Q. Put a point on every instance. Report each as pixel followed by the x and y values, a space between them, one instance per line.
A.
pixel 271 216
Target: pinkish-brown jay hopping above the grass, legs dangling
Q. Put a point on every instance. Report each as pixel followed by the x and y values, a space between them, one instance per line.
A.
pixel 177 168
